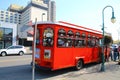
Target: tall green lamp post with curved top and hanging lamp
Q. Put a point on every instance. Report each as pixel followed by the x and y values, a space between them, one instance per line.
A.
pixel 113 21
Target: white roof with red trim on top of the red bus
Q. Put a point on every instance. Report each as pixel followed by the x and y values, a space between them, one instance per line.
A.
pixel 70 25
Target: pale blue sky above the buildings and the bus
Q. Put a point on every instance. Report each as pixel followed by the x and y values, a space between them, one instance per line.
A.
pixel 87 13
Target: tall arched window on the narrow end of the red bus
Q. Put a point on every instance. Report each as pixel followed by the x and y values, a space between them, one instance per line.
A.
pixel 48 37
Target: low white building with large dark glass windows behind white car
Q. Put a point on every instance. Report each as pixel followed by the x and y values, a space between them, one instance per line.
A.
pixel 8 34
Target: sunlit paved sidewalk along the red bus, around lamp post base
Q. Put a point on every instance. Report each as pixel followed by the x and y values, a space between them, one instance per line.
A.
pixel 112 72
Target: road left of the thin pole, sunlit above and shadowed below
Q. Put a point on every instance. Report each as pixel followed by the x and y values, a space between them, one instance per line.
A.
pixel 15 67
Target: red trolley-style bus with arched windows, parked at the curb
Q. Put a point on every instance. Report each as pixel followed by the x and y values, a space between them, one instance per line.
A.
pixel 62 45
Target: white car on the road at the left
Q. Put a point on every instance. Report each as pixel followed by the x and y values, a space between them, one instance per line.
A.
pixel 17 49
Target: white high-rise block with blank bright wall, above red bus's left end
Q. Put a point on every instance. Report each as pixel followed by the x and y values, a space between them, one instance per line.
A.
pixel 35 9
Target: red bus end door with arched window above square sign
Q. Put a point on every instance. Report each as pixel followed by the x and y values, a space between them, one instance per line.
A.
pixel 47 45
